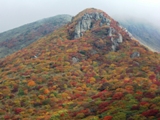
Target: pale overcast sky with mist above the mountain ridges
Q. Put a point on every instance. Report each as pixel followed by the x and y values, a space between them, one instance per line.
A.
pixel 15 13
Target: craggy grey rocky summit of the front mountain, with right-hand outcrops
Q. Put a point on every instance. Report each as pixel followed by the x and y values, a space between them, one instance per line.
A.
pixel 92 21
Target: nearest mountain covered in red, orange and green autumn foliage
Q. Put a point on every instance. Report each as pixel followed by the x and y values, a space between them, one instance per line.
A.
pixel 89 69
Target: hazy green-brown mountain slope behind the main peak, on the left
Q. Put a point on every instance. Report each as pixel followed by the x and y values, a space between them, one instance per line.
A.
pixel 18 38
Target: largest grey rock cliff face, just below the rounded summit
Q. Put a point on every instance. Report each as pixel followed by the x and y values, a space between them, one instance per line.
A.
pixel 86 23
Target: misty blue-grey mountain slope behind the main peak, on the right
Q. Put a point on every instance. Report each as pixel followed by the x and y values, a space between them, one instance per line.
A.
pixel 146 33
